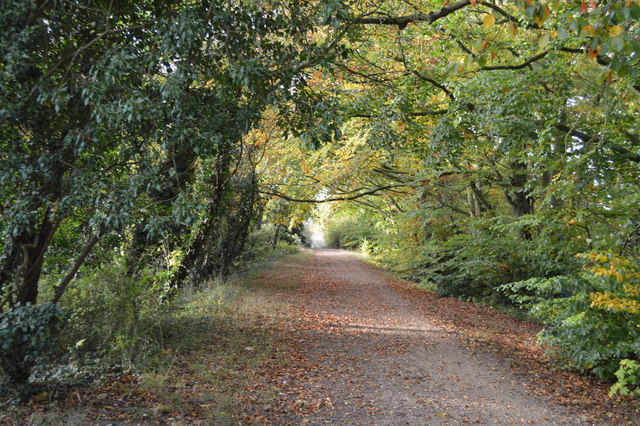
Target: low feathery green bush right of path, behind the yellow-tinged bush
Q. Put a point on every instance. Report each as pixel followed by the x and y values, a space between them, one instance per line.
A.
pixel 480 255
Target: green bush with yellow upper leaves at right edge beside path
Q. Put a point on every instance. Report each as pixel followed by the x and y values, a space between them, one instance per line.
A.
pixel 592 317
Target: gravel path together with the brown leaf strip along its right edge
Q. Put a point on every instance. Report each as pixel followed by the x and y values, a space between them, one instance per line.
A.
pixel 387 353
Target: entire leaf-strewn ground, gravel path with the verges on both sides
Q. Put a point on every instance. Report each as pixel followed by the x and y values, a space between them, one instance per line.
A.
pixel 334 340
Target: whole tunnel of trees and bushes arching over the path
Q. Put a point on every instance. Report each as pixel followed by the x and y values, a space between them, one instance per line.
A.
pixel 488 150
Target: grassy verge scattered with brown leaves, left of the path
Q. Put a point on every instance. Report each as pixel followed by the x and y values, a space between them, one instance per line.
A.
pixel 217 358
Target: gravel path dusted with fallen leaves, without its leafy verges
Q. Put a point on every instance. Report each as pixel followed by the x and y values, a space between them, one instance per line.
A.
pixel 377 358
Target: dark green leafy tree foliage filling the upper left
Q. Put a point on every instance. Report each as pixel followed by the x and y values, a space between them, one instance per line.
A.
pixel 107 108
